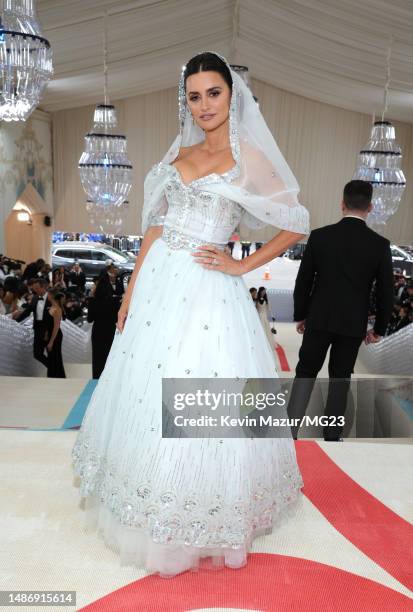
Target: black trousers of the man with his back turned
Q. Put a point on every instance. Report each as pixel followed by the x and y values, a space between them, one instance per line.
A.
pixel 313 351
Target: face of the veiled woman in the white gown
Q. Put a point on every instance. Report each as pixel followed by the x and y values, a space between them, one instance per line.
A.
pixel 208 97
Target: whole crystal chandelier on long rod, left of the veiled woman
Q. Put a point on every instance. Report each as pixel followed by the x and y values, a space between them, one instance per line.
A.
pixel 105 171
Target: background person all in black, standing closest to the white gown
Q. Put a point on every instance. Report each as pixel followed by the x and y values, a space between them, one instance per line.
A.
pixel 103 309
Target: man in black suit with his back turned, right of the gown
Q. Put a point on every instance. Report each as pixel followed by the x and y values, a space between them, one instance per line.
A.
pixel 331 302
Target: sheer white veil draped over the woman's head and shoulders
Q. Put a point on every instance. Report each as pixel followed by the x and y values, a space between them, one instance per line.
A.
pixel 260 181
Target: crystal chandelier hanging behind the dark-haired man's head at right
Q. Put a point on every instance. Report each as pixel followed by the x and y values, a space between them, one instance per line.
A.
pixel 379 163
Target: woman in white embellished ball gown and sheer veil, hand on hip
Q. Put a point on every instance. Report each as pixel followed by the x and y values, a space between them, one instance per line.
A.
pixel 162 503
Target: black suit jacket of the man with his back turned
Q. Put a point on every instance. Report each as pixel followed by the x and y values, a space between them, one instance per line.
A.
pixel 334 281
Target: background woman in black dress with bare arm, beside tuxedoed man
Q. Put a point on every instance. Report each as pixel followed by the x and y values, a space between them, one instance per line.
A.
pixel 54 335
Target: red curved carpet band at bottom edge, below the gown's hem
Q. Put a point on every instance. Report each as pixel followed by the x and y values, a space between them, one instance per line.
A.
pixel 268 582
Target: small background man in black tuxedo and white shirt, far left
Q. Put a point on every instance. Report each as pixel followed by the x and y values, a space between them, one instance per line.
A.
pixel 39 306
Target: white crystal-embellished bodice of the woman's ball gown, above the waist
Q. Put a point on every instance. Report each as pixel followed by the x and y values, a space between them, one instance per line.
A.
pixel 195 216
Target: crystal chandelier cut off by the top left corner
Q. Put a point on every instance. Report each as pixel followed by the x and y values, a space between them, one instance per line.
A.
pixel 25 60
